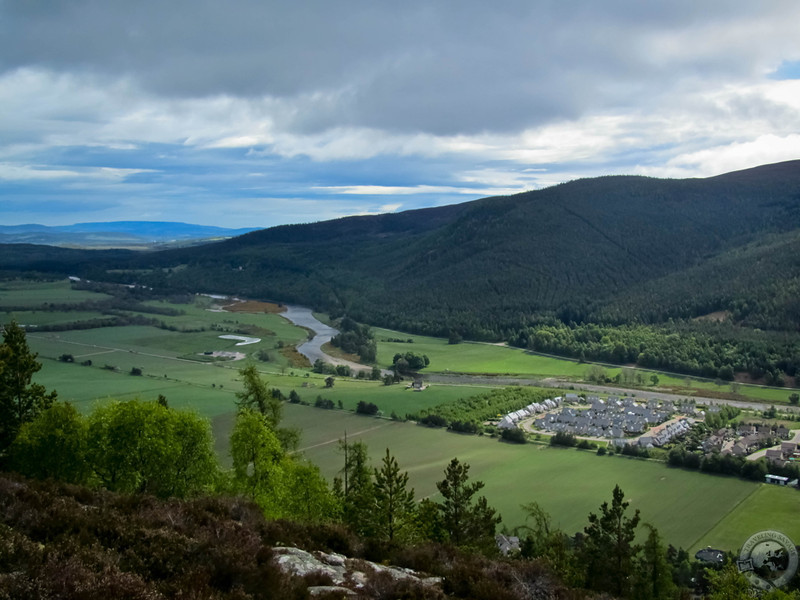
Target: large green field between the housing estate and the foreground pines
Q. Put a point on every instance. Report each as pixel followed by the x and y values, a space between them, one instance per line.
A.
pixel 686 506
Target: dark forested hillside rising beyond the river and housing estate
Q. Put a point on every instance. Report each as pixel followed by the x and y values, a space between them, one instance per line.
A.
pixel 608 251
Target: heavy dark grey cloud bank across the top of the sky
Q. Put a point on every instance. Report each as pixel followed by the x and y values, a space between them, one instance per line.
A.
pixel 445 68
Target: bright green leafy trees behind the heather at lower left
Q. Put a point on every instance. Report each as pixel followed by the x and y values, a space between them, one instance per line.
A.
pixel 147 447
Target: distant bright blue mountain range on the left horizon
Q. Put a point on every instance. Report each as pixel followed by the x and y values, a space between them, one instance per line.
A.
pixel 115 234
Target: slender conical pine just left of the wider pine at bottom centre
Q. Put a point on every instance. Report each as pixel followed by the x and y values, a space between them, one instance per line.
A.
pixel 394 501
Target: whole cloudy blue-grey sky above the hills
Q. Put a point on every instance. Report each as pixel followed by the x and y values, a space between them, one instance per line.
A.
pixel 255 113
